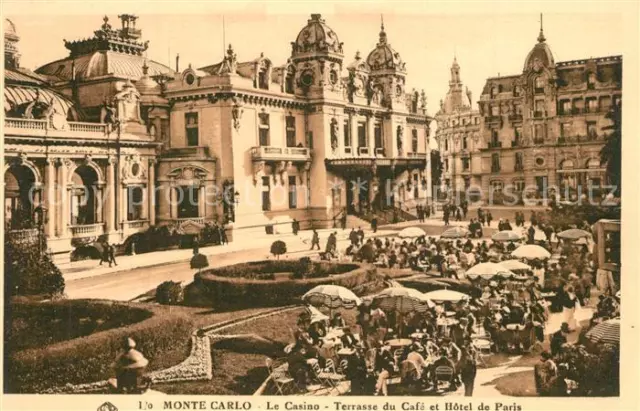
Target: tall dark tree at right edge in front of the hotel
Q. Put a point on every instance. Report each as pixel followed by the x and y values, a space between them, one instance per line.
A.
pixel 611 152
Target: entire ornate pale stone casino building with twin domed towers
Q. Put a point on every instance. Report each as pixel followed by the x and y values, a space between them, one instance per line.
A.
pixel 112 143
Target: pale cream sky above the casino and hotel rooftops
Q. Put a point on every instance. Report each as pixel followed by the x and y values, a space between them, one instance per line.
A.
pixel 487 39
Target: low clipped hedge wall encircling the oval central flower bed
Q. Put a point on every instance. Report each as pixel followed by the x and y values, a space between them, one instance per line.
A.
pixel 238 292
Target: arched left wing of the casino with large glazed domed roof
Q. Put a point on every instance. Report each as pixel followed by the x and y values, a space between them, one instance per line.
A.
pixel 81 141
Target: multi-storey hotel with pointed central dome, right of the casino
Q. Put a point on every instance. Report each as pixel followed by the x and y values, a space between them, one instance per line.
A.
pixel 544 128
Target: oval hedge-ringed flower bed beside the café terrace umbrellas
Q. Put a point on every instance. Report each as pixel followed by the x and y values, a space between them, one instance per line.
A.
pixel 242 285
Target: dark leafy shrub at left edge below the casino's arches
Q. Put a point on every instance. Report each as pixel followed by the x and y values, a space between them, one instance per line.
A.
pixel 28 271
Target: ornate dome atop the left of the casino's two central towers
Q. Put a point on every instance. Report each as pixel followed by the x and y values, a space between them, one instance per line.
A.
pixel 317 37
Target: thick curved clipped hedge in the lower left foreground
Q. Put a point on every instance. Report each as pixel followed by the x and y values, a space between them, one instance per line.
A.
pixel 89 359
